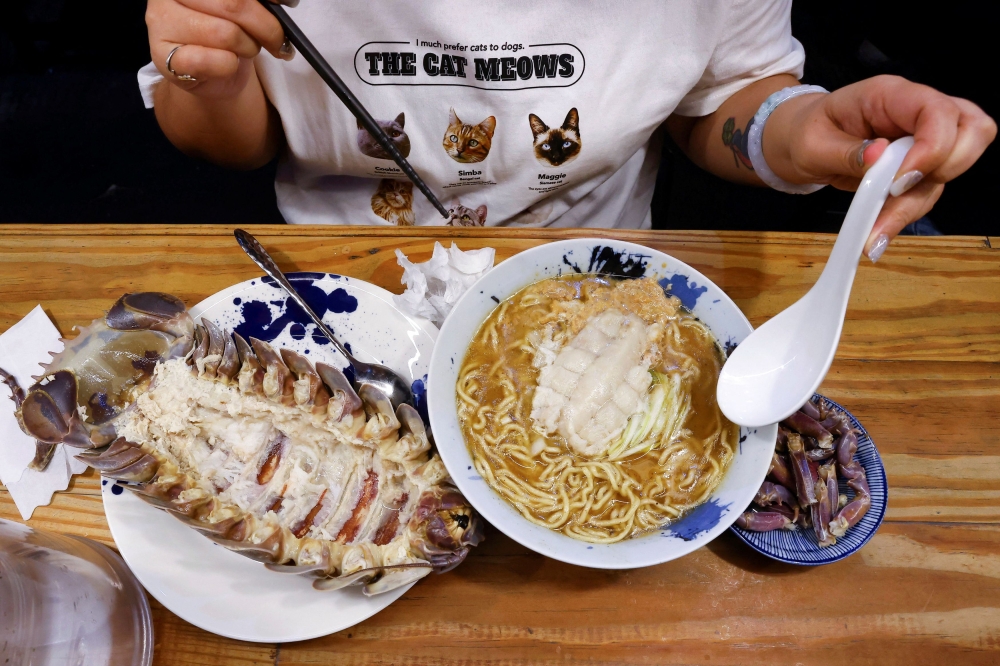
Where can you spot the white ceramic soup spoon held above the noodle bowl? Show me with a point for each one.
(781, 364)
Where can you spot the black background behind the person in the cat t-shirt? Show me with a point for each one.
(76, 144)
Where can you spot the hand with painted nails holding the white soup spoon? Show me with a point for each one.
(835, 138)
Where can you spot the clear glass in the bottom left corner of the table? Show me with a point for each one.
(69, 601)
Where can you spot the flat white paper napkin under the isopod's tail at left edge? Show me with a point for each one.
(23, 347)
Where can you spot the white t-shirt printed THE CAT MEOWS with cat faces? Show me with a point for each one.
(523, 113)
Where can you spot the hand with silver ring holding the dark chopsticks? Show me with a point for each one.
(218, 39)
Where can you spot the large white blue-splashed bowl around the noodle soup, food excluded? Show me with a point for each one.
(698, 294)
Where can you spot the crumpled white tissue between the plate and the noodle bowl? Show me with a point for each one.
(433, 287)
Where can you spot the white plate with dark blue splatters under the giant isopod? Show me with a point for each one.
(214, 588)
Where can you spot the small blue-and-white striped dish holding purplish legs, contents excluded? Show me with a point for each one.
(801, 546)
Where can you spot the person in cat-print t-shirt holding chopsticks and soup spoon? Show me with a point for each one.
(538, 114)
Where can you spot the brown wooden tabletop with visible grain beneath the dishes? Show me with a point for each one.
(918, 364)
